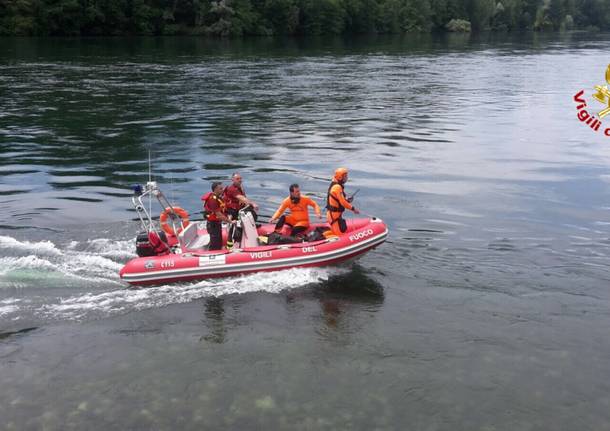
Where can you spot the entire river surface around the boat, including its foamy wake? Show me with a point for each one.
(486, 309)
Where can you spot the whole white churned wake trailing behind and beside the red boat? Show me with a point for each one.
(79, 281)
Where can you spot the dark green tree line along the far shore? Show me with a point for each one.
(226, 18)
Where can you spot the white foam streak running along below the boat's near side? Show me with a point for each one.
(120, 301)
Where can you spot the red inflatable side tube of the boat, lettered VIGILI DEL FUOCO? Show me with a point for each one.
(362, 236)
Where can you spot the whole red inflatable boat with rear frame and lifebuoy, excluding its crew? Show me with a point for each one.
(185, 257)
